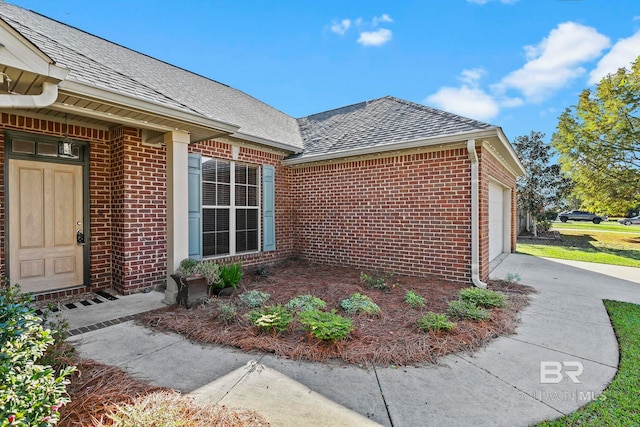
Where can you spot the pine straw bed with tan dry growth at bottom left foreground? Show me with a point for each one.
(98, 391)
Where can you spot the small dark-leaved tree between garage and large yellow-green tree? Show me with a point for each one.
(543, 183)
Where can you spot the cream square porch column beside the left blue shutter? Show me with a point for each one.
(177, 144)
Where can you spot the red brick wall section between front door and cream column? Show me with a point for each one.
(139, 224)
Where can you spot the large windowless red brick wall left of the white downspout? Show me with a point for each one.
(408, 213)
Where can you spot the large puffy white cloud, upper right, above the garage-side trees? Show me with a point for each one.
(555, 61)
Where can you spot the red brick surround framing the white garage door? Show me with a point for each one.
(491, 168)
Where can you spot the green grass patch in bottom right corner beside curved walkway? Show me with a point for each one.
(618, 405)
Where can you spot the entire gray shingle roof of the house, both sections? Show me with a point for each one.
(106, 65)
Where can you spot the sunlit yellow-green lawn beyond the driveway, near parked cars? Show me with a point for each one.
(605, 243)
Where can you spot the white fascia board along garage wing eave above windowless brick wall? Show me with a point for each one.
(403, 145)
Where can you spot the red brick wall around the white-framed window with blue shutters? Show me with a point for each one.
(283, 199)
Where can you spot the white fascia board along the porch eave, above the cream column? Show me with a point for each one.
(146, 106)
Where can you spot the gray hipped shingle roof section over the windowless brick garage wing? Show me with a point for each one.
(378, 122)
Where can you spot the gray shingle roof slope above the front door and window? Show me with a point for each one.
(106, 65)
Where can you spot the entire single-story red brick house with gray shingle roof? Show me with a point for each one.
(117, 166)
